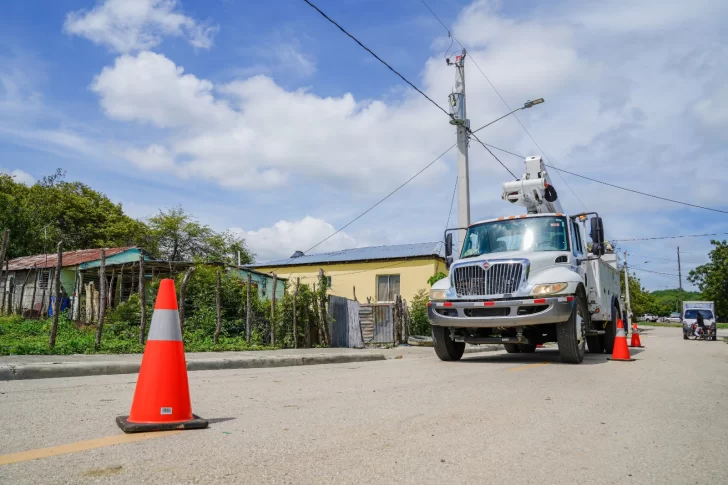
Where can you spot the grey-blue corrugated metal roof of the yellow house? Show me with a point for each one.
(373, 253)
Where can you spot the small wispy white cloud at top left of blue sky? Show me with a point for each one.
(133, 25)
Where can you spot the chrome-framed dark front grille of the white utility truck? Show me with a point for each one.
(498, 279)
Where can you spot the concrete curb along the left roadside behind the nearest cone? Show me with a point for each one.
(81, 369)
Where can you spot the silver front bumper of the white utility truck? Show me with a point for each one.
(500, 313)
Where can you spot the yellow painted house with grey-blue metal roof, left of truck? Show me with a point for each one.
(379, 272)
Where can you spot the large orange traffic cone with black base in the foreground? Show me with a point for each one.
(162, 395)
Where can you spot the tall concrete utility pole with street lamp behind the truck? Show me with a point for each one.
(459, 119)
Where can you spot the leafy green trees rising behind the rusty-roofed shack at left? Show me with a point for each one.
(38, 215)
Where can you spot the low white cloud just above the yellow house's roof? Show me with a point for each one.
(286, 237)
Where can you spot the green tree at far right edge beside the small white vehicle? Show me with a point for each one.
(712, 278)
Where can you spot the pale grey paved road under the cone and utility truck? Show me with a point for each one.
(492, 418)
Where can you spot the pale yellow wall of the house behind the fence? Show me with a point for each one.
(413, 276)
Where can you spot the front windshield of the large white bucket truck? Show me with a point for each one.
(528, 234)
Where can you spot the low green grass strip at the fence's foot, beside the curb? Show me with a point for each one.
(30, 337)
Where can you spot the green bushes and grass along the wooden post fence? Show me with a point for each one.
(121, 327)
